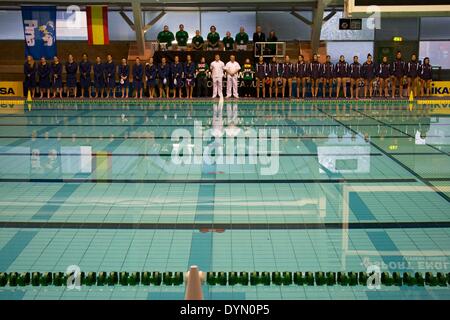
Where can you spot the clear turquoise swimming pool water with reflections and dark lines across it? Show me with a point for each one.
(343, 185)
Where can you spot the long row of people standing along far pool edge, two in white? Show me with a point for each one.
(385, 79)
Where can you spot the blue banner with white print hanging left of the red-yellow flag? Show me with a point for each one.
(39, 25)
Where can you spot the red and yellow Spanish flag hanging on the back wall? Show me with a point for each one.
(97, 21)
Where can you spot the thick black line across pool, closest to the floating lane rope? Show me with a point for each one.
(226, 226)
